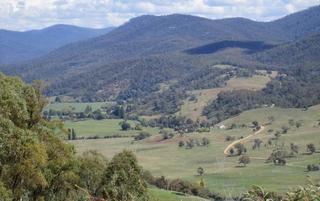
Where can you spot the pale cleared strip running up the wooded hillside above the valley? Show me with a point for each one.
(193, 109)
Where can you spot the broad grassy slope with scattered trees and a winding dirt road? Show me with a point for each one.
(222, 173)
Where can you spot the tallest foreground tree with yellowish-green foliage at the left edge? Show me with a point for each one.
(34, 162)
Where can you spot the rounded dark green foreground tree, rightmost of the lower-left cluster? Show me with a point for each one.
(123, 179)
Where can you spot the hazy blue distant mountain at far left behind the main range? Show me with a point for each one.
(18, 46)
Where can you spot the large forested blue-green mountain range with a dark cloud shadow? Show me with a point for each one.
(156, 49)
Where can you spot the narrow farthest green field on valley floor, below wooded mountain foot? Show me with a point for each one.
(75, 107)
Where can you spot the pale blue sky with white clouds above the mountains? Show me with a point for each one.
(35, 14)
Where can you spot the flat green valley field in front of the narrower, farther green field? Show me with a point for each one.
(106, 127)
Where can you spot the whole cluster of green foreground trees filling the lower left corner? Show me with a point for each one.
(37, 165)
